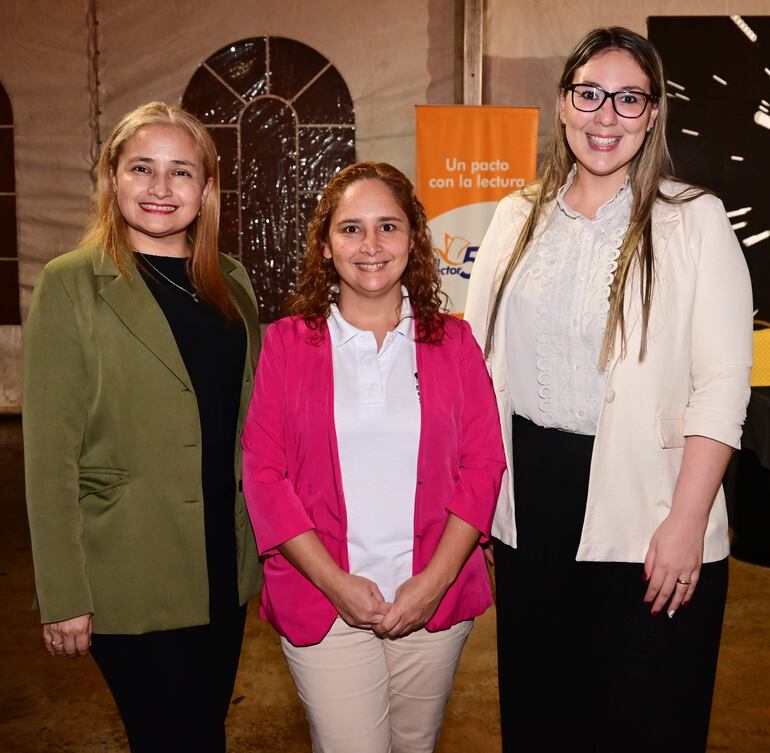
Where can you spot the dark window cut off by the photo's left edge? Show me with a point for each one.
(9, 262)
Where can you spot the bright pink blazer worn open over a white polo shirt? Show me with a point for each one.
(293, 483)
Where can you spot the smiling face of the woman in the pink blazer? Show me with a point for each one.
(369, 241)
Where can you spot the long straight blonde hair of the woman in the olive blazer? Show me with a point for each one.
(108, 230)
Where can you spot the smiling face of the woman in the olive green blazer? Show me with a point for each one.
(160, 185)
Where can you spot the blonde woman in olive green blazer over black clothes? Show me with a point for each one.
(139, 352)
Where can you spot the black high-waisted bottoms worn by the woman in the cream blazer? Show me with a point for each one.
(583, 665)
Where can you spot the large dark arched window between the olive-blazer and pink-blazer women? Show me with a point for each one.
(282, 119)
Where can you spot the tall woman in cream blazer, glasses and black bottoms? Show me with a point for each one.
(614, 307)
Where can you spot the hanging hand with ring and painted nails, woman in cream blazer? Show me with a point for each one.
(673, 562)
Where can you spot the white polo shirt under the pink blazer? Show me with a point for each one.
(377, 419)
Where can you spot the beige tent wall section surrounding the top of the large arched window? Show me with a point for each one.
(380, 50)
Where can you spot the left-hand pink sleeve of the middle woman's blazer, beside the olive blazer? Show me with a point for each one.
(276, 511)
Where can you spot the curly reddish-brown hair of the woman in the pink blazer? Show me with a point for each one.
(317, 288)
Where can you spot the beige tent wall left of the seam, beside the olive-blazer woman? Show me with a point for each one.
(43, 67)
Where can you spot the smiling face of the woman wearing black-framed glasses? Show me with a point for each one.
(604, 143)
